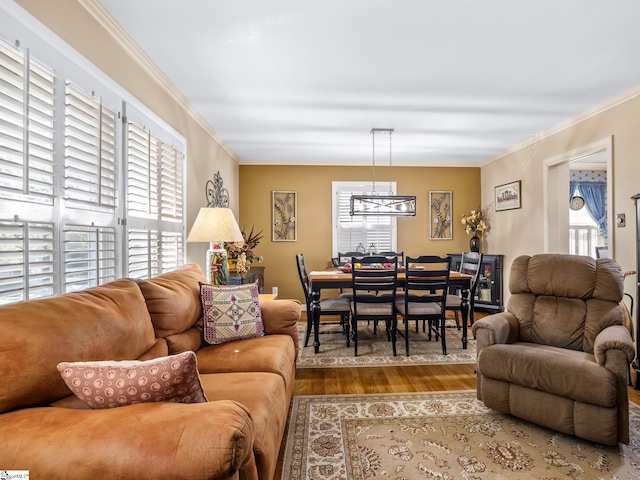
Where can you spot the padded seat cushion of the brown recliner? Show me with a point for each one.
(565, 373)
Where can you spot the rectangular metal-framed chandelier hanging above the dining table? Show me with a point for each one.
(382, 204)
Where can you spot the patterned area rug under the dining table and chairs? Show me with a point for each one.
(375, 350)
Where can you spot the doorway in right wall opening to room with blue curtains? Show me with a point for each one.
(557, 176)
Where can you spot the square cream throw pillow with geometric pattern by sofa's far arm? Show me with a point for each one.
(231, 312)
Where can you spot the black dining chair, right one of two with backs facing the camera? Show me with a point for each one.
(424, 298)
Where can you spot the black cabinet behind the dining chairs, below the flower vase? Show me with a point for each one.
(489, 293)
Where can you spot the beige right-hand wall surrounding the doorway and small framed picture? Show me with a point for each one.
(518, 232)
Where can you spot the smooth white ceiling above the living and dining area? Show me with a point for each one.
(291, 81)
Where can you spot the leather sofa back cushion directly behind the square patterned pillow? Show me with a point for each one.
(173, 299)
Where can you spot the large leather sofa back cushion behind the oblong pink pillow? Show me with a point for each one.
(106, 322)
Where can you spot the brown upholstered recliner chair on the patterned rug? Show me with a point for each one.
(559, 356)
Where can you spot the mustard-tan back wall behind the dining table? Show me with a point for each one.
(313, 185)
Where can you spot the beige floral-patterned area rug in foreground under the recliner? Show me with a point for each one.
(442, 435)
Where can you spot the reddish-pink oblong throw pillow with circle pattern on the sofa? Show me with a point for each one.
(107, 384)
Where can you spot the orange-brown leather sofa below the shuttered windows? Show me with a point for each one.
(51, 433)
